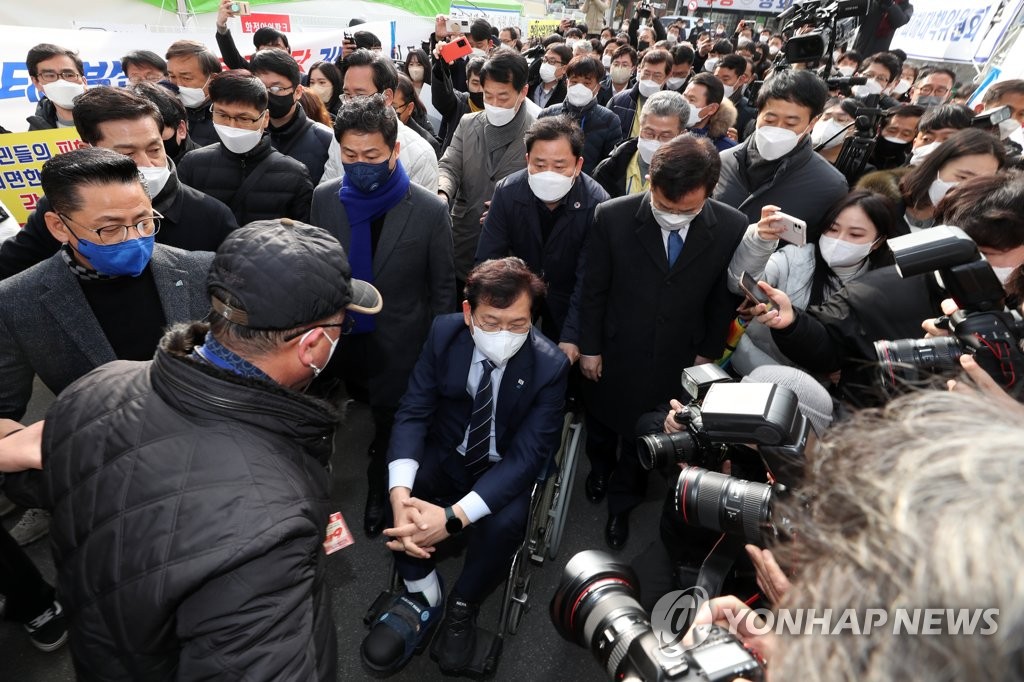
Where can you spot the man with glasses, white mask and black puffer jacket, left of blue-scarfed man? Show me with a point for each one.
(244, 172)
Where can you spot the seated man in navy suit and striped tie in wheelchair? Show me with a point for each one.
(480, 421)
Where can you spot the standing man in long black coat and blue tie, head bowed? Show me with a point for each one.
(655, 303)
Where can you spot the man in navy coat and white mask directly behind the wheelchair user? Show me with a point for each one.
(532, 219)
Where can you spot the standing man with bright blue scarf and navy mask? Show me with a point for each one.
(398, 236)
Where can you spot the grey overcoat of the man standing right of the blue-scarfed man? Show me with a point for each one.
(465, 180)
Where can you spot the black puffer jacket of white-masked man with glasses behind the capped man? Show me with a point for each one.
(283, 190)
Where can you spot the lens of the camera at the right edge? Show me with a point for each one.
(912, 362)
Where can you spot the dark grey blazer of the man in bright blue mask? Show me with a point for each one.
(48, 328)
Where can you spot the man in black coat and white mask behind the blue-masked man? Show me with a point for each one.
(116, 119)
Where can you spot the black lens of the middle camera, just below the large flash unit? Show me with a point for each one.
(716, 502)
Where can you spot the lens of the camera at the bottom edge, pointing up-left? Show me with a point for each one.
(596, 607)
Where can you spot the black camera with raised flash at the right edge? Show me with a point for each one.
(983, 327)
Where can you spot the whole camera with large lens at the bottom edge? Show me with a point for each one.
(596, 607)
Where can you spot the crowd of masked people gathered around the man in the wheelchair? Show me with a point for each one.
(465, 245)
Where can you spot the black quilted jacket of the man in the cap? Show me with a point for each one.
(190, 507)
